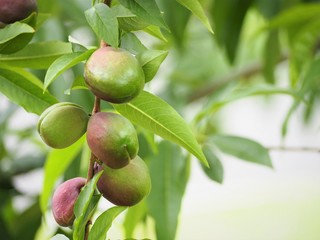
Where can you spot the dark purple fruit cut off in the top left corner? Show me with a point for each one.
(16, 10)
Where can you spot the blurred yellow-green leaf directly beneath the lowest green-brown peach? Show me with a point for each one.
(135, 214)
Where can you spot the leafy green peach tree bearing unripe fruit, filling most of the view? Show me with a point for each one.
(89, 70)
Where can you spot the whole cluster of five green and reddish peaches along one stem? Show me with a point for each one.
(113, 75)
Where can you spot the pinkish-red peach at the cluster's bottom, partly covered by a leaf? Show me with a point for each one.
(64, 199)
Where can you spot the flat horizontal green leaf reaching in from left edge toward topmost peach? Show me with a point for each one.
(38, 55)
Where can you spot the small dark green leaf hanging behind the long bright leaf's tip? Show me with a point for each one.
(215, 169)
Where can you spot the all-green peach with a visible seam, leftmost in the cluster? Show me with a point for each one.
(62, 124)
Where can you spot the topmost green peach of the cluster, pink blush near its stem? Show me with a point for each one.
(114, 75)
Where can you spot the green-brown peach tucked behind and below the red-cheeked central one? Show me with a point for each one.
(126, 186)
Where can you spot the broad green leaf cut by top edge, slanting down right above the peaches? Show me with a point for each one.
(146, 10)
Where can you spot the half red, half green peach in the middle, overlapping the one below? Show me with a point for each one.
(112, 138)
